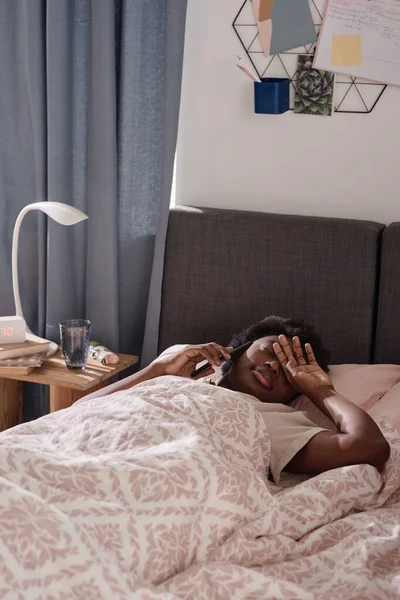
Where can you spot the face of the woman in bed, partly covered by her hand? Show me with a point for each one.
(258, 372)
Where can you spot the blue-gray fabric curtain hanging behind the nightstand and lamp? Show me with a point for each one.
(89, 101)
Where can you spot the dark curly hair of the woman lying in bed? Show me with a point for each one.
(279, 325)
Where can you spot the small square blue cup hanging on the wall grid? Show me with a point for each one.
(271, 96)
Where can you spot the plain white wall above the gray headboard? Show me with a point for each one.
(228, 157)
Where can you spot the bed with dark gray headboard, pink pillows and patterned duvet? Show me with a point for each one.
(126, 497)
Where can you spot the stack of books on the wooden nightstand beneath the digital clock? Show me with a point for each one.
(21, 359)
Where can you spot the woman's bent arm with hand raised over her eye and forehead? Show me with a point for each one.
(359, 439)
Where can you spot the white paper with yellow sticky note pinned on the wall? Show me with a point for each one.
(361, 38)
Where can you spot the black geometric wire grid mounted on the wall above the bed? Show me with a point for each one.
(352, 95)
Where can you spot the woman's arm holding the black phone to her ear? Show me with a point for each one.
(180, 362)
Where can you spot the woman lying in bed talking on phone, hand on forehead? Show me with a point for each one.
(279, 364)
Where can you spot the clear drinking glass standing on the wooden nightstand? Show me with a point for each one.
(75, 342)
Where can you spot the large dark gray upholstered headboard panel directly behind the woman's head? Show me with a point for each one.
(226, 269)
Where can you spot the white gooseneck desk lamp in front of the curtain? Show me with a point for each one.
(61, 213)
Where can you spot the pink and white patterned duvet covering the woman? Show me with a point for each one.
(160, 492)
